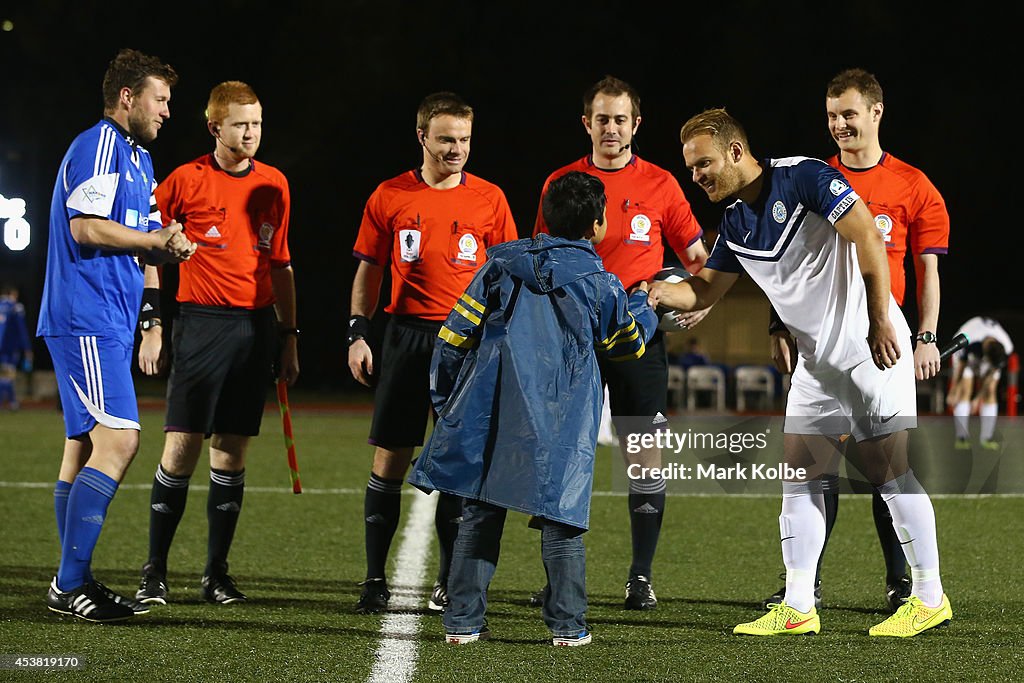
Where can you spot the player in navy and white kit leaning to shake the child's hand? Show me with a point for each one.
(805, 237)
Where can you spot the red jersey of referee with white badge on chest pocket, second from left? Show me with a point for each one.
(435, 239)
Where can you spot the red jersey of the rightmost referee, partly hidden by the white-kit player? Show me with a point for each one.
(905, 204)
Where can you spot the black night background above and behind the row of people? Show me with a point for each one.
(340, 84)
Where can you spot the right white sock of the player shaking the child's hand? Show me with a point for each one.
(914, 520)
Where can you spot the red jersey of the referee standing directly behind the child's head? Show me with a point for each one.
(646, 203)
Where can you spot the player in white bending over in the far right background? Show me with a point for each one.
(977, 370)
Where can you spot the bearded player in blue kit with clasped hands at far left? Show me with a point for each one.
(102, 218)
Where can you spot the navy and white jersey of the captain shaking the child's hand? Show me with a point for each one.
(787, 242)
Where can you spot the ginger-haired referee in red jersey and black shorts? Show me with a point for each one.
(237, 311)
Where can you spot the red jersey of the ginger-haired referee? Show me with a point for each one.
(240, 224)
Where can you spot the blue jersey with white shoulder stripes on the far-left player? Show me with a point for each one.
(91, 291)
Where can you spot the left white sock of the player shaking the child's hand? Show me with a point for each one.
(802, 528)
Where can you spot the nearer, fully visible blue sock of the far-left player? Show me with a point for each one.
(88, 502)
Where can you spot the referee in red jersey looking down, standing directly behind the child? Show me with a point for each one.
(647, 206)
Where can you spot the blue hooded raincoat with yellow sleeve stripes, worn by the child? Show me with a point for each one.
(516, 382)
